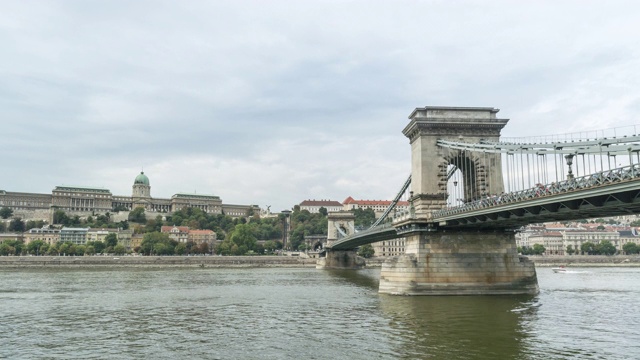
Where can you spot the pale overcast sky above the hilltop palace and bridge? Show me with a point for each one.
(275, 102)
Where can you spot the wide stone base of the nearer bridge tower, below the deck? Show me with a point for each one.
(459, 263)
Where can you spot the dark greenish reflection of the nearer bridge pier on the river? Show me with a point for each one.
(460, 327)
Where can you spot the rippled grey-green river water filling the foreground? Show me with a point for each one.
(590, 313)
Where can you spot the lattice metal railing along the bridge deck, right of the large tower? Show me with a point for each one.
(595, 180)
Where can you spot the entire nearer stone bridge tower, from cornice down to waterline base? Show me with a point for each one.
(454, 262)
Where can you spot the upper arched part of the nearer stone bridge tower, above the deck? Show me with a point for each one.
(481, 174)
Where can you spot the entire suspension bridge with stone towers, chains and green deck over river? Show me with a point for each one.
(470, 190)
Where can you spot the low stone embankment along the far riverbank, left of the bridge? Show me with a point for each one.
(155, 261)
